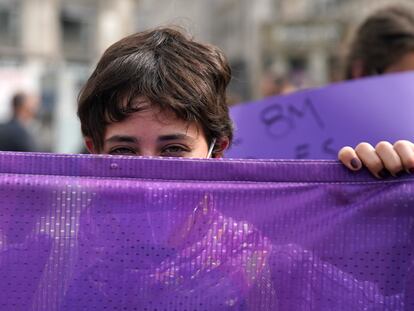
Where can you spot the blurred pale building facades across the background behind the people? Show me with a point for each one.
(51, 46)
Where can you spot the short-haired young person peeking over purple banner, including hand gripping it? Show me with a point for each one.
(160, 93)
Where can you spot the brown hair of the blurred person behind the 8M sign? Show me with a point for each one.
(382, 39)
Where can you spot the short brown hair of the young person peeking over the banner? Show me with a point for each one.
(168, 68)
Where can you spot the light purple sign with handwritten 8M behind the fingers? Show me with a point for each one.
(316, 123)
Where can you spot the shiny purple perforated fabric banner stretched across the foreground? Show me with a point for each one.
(123, 233)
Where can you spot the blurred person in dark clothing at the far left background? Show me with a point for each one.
(15, 135)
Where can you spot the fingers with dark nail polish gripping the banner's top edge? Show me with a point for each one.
(383, 160)
